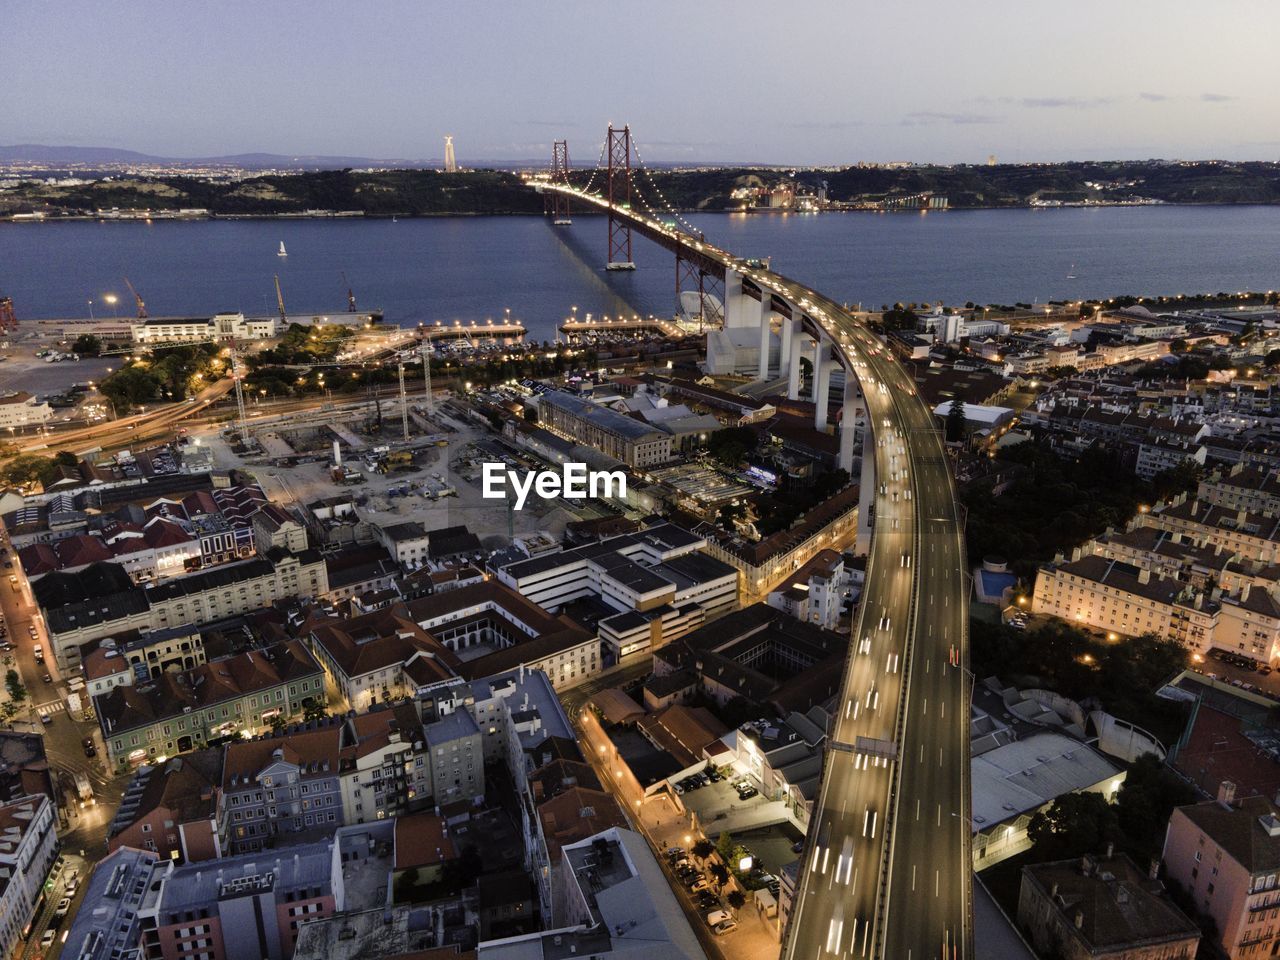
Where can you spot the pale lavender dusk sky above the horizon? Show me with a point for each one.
(803, 83)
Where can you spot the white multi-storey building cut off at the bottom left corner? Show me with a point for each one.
(29, 844)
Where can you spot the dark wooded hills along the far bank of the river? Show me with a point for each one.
(426, 193)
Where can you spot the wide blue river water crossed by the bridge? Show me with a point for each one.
(476, 268)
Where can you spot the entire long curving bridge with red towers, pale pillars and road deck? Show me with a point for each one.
(888, 867)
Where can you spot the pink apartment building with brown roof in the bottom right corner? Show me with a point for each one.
(1226, 854)
